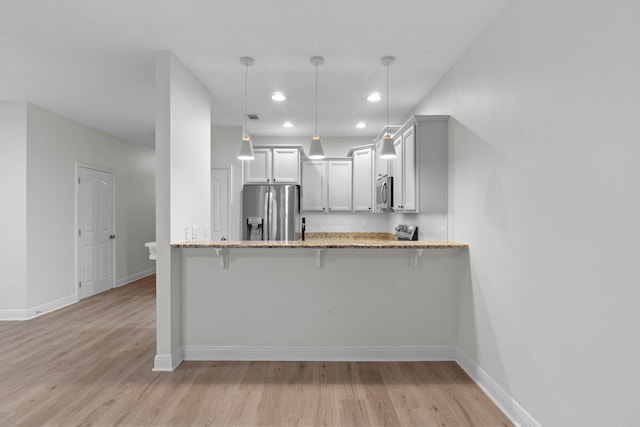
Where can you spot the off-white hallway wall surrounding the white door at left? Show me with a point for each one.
(54, 145)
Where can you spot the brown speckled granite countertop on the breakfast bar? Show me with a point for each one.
(321, 240)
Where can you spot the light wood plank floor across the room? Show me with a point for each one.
(90, 364)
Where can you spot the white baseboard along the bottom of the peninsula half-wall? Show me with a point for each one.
(321, 353)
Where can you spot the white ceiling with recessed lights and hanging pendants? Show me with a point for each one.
(93, 61)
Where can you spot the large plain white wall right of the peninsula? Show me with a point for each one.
(544, 185)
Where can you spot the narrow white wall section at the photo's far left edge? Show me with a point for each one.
(13, 215)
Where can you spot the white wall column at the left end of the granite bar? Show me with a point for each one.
(183, 194)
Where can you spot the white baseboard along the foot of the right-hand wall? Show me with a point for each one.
(500, 397)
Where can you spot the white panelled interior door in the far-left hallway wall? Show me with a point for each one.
(95, 231)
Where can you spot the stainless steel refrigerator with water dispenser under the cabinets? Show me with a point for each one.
(271, 212)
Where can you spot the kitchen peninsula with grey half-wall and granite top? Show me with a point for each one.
(334, 296)
